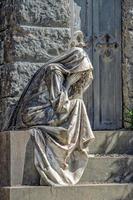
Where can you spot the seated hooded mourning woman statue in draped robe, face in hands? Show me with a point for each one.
(51, 106)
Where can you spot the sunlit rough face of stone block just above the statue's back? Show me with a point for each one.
(39, 44)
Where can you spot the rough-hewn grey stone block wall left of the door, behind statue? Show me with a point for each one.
(31, 33)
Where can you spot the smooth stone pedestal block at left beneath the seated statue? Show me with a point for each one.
(17, 159)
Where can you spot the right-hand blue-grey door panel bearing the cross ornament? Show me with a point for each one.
(107, 63)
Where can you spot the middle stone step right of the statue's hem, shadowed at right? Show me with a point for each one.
(109, 169)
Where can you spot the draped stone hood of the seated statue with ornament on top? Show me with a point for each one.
(75, 59)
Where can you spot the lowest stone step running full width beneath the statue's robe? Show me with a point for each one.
(78, 192)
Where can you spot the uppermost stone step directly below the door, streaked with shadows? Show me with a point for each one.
(112, 142)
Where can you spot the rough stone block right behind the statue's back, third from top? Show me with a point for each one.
(14, 77)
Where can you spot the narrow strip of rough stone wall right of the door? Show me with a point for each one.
(127, 30)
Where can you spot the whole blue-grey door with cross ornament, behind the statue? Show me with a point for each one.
(100, 20)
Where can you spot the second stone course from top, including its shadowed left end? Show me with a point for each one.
(33, 44)
